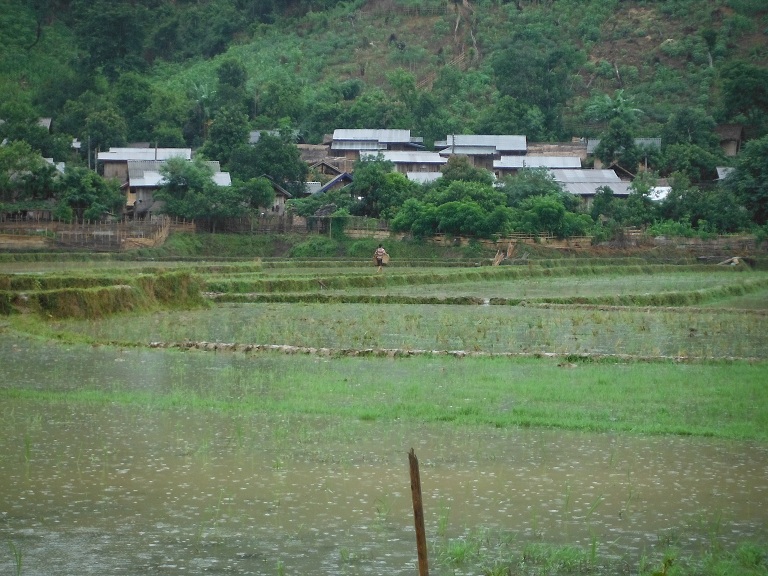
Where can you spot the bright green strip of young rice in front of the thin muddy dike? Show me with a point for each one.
(636, 397)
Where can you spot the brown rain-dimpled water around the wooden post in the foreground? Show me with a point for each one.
(95, 489)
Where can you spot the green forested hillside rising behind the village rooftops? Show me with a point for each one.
(204, 73)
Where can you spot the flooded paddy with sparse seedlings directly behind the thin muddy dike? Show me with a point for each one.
(501, 329)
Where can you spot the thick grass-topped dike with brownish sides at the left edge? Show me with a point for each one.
(96, 297)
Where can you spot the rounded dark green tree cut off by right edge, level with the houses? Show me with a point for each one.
(749, 180)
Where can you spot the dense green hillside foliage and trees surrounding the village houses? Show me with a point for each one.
(207, 74)
